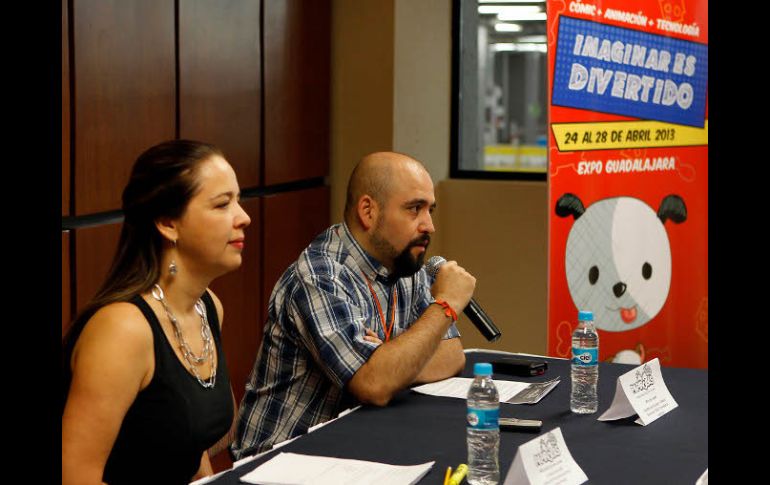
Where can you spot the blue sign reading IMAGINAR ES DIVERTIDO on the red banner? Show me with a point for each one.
(630, 73)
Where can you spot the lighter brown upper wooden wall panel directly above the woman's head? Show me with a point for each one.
(124, 92)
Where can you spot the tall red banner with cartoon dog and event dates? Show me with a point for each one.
(628, 177)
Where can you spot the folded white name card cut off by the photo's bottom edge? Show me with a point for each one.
(545, 460)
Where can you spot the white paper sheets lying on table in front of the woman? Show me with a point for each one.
(295, 469)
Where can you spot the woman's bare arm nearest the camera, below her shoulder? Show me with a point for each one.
(112, 361)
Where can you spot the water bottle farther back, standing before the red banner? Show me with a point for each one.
(585, 365)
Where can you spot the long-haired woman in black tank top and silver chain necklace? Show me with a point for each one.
(145, 383)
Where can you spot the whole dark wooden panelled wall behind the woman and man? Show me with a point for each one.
(119, 97)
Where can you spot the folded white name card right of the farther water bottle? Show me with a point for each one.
(641, 391)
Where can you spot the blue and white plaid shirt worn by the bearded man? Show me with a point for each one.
(314, 338)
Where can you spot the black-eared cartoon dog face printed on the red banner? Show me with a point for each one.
(618, 259)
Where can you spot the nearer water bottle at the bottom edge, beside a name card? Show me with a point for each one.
(483, 428)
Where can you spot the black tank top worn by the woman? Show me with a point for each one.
(174, 419)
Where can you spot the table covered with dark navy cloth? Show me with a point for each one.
(416, 428)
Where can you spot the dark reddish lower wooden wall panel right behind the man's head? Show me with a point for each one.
(292, 220)
